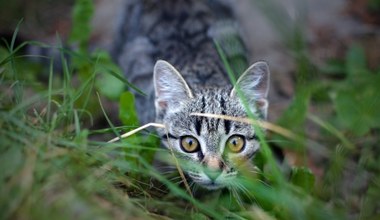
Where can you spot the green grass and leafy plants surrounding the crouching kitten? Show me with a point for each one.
(55, 165)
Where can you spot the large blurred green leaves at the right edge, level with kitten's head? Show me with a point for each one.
(357, 96)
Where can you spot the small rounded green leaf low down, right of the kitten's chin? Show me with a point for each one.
(303, 177)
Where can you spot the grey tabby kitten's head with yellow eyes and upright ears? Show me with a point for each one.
(212, 148)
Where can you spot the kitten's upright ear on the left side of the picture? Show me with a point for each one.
(170, 87)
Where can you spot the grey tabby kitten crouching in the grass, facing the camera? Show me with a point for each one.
(174, 39)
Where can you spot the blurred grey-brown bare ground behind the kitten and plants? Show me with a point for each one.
(328, 29)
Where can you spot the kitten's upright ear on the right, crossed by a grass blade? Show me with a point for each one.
(254, 85)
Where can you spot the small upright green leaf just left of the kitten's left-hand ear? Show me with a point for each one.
(127, 112)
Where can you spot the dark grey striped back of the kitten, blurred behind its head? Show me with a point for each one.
(178, 31)
